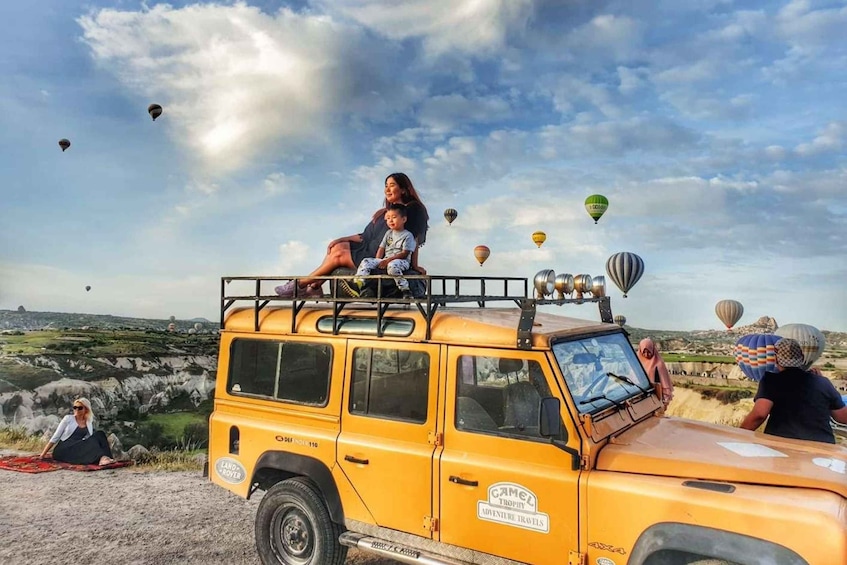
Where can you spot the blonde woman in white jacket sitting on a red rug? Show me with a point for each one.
(76, 441)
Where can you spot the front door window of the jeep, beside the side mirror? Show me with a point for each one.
(499, 396)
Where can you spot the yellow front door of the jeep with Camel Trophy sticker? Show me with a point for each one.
(504, 489)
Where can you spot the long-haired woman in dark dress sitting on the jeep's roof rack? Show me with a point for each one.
(349, 251)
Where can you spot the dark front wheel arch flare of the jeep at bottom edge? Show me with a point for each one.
(709, 542)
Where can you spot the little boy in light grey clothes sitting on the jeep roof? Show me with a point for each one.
(393, 254)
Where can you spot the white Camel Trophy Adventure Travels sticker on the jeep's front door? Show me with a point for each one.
(513, 505)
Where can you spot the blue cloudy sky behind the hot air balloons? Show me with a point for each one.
(716, 129)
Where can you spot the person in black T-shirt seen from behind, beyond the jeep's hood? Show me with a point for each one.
(796, 403)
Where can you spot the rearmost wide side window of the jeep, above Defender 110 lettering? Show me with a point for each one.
(286, 371)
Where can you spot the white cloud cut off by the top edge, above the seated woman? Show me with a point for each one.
(445, 26)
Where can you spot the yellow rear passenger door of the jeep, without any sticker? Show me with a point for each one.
(387, 423)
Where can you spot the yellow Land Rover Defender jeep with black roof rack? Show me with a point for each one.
(470, 427)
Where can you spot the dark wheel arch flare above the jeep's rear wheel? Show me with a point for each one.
(292, 464)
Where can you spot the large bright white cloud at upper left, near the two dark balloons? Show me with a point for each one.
(234, 81)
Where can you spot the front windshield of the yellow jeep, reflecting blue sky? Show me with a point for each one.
(601, 371)
